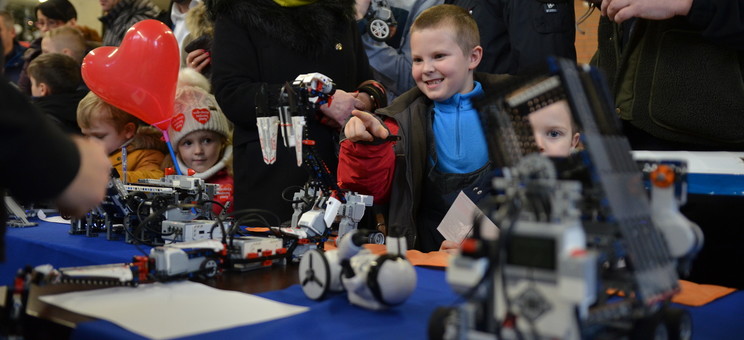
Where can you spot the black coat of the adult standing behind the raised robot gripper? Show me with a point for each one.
(259, 42)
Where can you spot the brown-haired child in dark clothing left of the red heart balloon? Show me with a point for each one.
(55, 79)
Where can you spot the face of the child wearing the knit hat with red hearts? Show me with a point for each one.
(200, 150)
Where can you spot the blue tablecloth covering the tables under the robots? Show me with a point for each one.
(333, 318)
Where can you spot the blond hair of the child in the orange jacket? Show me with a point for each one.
(92, 107)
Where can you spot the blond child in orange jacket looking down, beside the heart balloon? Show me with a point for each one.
(118, 129)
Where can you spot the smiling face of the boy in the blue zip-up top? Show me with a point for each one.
(440, 68)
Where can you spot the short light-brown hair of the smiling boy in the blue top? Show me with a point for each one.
(464, 26)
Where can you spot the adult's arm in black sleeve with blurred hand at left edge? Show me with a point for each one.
(41, 162)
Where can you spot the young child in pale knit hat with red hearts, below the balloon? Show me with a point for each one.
(201, 135)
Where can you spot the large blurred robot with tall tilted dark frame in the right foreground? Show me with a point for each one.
(582, 253)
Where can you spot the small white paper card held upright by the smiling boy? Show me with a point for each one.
(457, 224)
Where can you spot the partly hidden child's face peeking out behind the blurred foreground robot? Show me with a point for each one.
(552, 128)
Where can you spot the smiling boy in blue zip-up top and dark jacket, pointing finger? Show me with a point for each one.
(443, 149)
